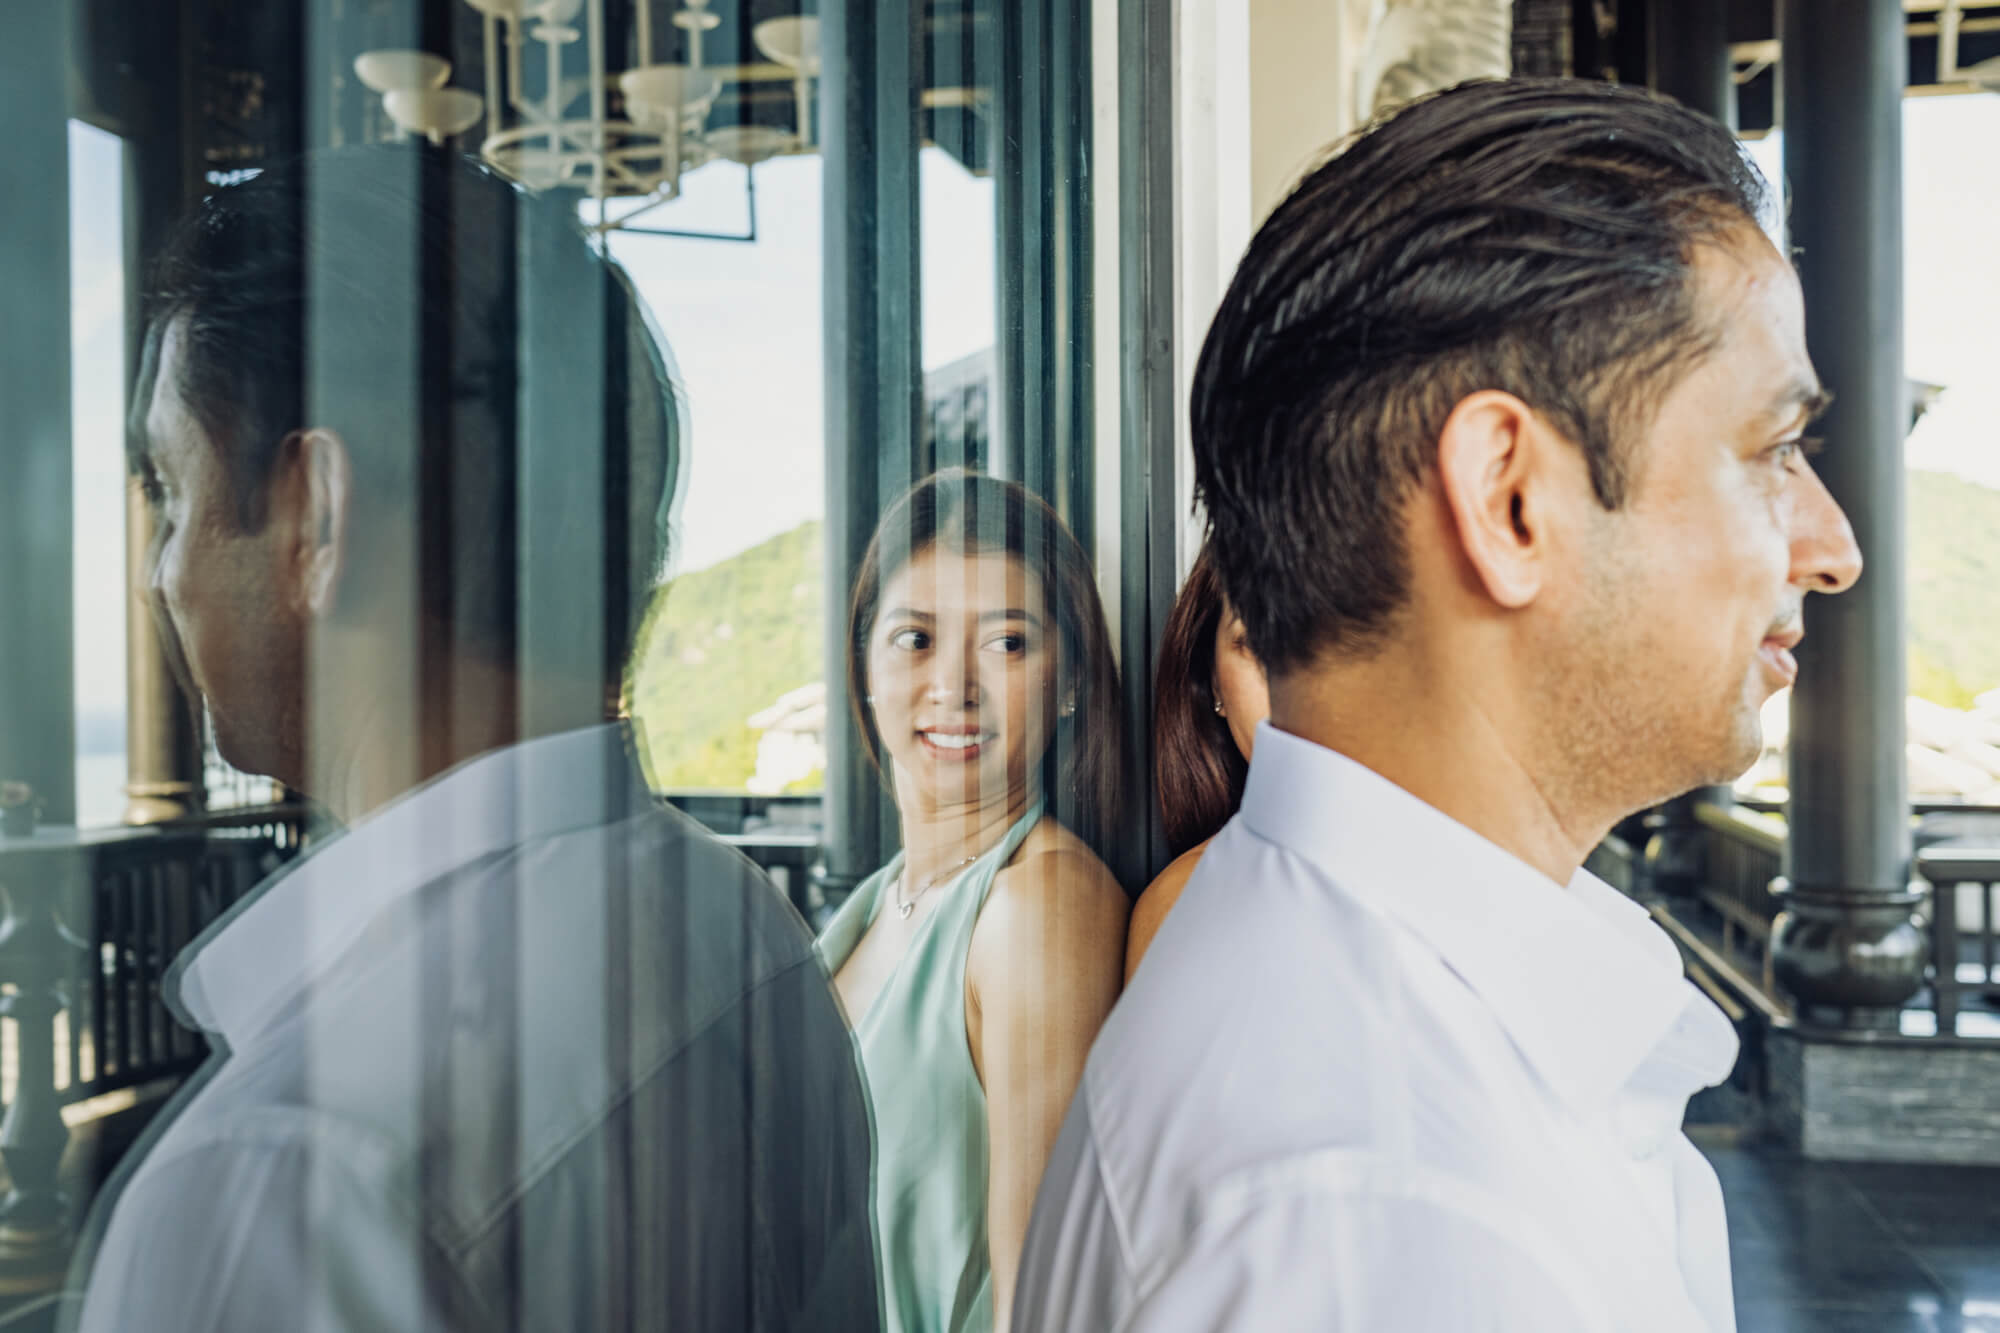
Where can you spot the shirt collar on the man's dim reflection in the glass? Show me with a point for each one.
(305, 918)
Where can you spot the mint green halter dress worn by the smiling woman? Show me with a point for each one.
(927, 1102)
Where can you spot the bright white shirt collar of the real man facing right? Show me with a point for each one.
(1581, 980)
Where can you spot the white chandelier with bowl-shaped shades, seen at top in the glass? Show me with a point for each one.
(567, 137)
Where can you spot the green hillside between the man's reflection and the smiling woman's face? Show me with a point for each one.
(719, 645)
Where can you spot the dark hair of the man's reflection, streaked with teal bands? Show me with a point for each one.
(471, 347)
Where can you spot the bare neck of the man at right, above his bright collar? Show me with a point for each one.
(1447, 748)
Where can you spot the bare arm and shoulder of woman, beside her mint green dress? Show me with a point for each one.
(1043, 974)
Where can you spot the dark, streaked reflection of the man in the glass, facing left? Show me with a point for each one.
(519, 1048)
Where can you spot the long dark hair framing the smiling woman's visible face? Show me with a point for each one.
(973, 513)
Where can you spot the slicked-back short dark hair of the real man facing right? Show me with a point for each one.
(1533, 237)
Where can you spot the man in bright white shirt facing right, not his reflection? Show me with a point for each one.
(1499, 437)
